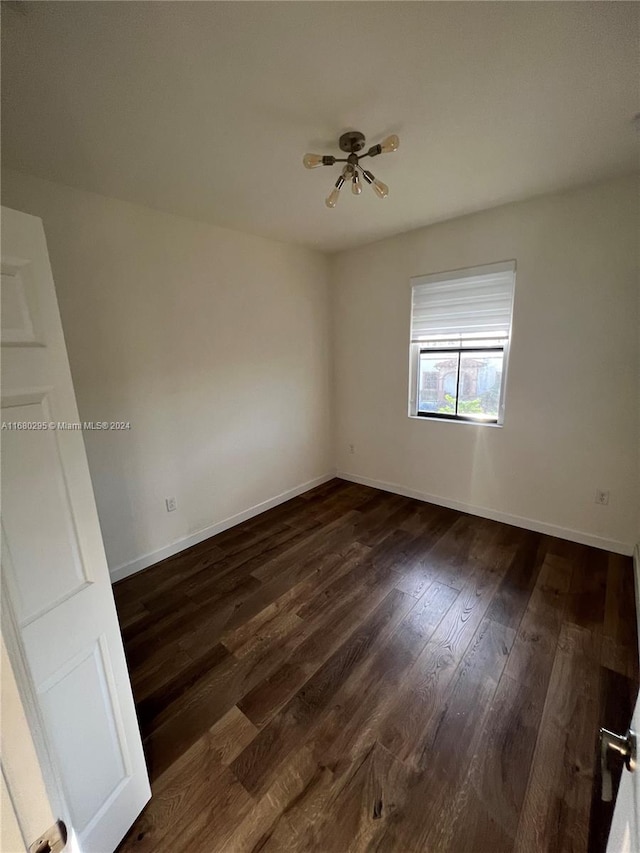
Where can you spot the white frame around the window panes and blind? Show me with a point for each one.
(417, 347)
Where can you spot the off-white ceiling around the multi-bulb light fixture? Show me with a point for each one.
(205, 109)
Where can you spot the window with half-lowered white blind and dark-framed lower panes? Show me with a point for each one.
(460, 330)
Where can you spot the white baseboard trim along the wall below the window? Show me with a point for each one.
(495, 515)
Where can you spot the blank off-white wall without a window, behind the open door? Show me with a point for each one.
(213, 344)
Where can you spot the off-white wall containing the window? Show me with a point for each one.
(571, 420)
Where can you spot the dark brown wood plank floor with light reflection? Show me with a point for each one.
(358, 671)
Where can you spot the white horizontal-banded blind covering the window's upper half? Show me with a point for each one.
(475, 302)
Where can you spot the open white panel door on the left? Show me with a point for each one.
(54, 568)
